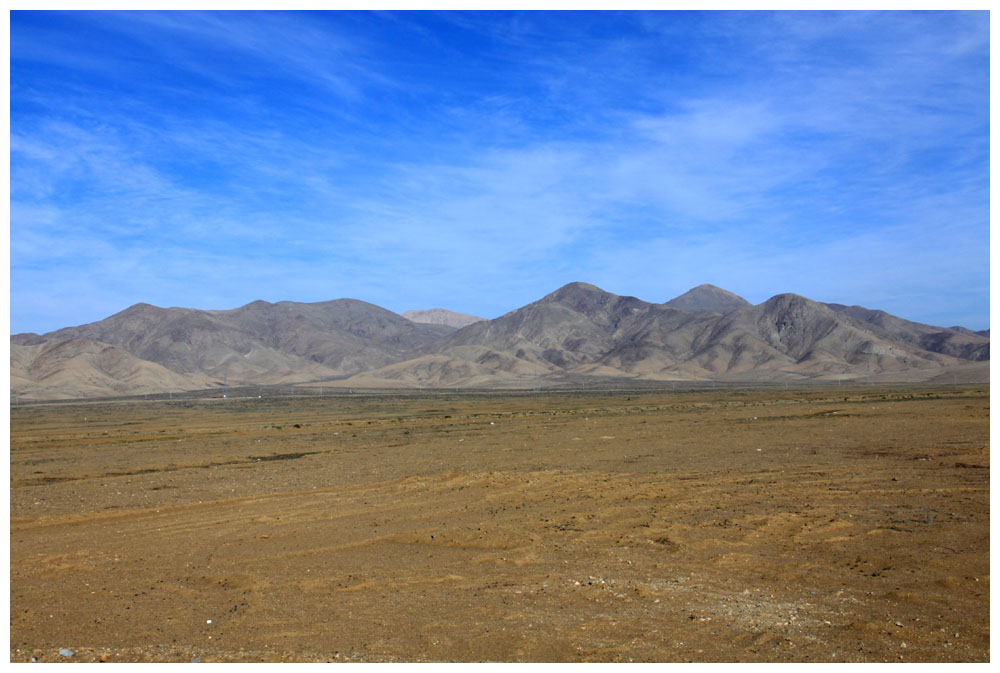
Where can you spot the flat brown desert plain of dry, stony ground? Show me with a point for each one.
(836, 524)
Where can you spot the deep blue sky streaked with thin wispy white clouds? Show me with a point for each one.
(478, 161)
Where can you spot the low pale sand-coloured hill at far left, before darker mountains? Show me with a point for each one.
(77, 368)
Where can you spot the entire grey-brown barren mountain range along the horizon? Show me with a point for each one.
(577, 335)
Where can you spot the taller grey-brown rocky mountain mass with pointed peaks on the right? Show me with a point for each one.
(582, 331)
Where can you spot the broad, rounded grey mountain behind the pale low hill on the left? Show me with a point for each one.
(262, 343)
